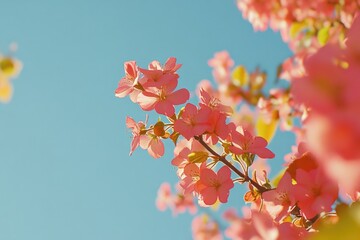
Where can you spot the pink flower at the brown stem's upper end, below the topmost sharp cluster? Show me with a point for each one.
(193, 122)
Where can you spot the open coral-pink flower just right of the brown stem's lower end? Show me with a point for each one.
(314, 192)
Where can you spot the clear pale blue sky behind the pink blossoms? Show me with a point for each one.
(65, 172)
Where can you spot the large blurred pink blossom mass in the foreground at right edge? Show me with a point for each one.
(329, 91)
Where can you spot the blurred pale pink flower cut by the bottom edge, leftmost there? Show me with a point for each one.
(203, 228)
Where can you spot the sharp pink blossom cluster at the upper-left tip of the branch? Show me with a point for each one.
(153, 88)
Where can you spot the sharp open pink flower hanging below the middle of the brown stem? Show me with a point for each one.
(216, 186)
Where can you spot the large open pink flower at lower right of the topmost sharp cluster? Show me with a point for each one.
(163, 98)
